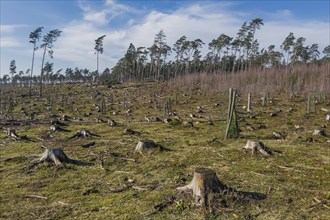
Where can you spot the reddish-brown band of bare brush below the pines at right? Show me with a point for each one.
(299, 79)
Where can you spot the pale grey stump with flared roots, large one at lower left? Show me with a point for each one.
(55, 155)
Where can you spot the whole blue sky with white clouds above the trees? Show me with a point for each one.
(138, 21)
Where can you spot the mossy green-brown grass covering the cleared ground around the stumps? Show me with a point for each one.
(130, 185)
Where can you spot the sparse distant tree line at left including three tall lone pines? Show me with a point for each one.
(47, 74)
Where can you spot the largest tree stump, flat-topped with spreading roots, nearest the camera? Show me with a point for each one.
(205, 181)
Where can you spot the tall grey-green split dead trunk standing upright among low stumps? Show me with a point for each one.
(232, 129)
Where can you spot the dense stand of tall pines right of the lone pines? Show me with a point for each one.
(226, 55)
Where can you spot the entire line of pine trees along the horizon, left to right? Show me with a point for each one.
(226, 55)
